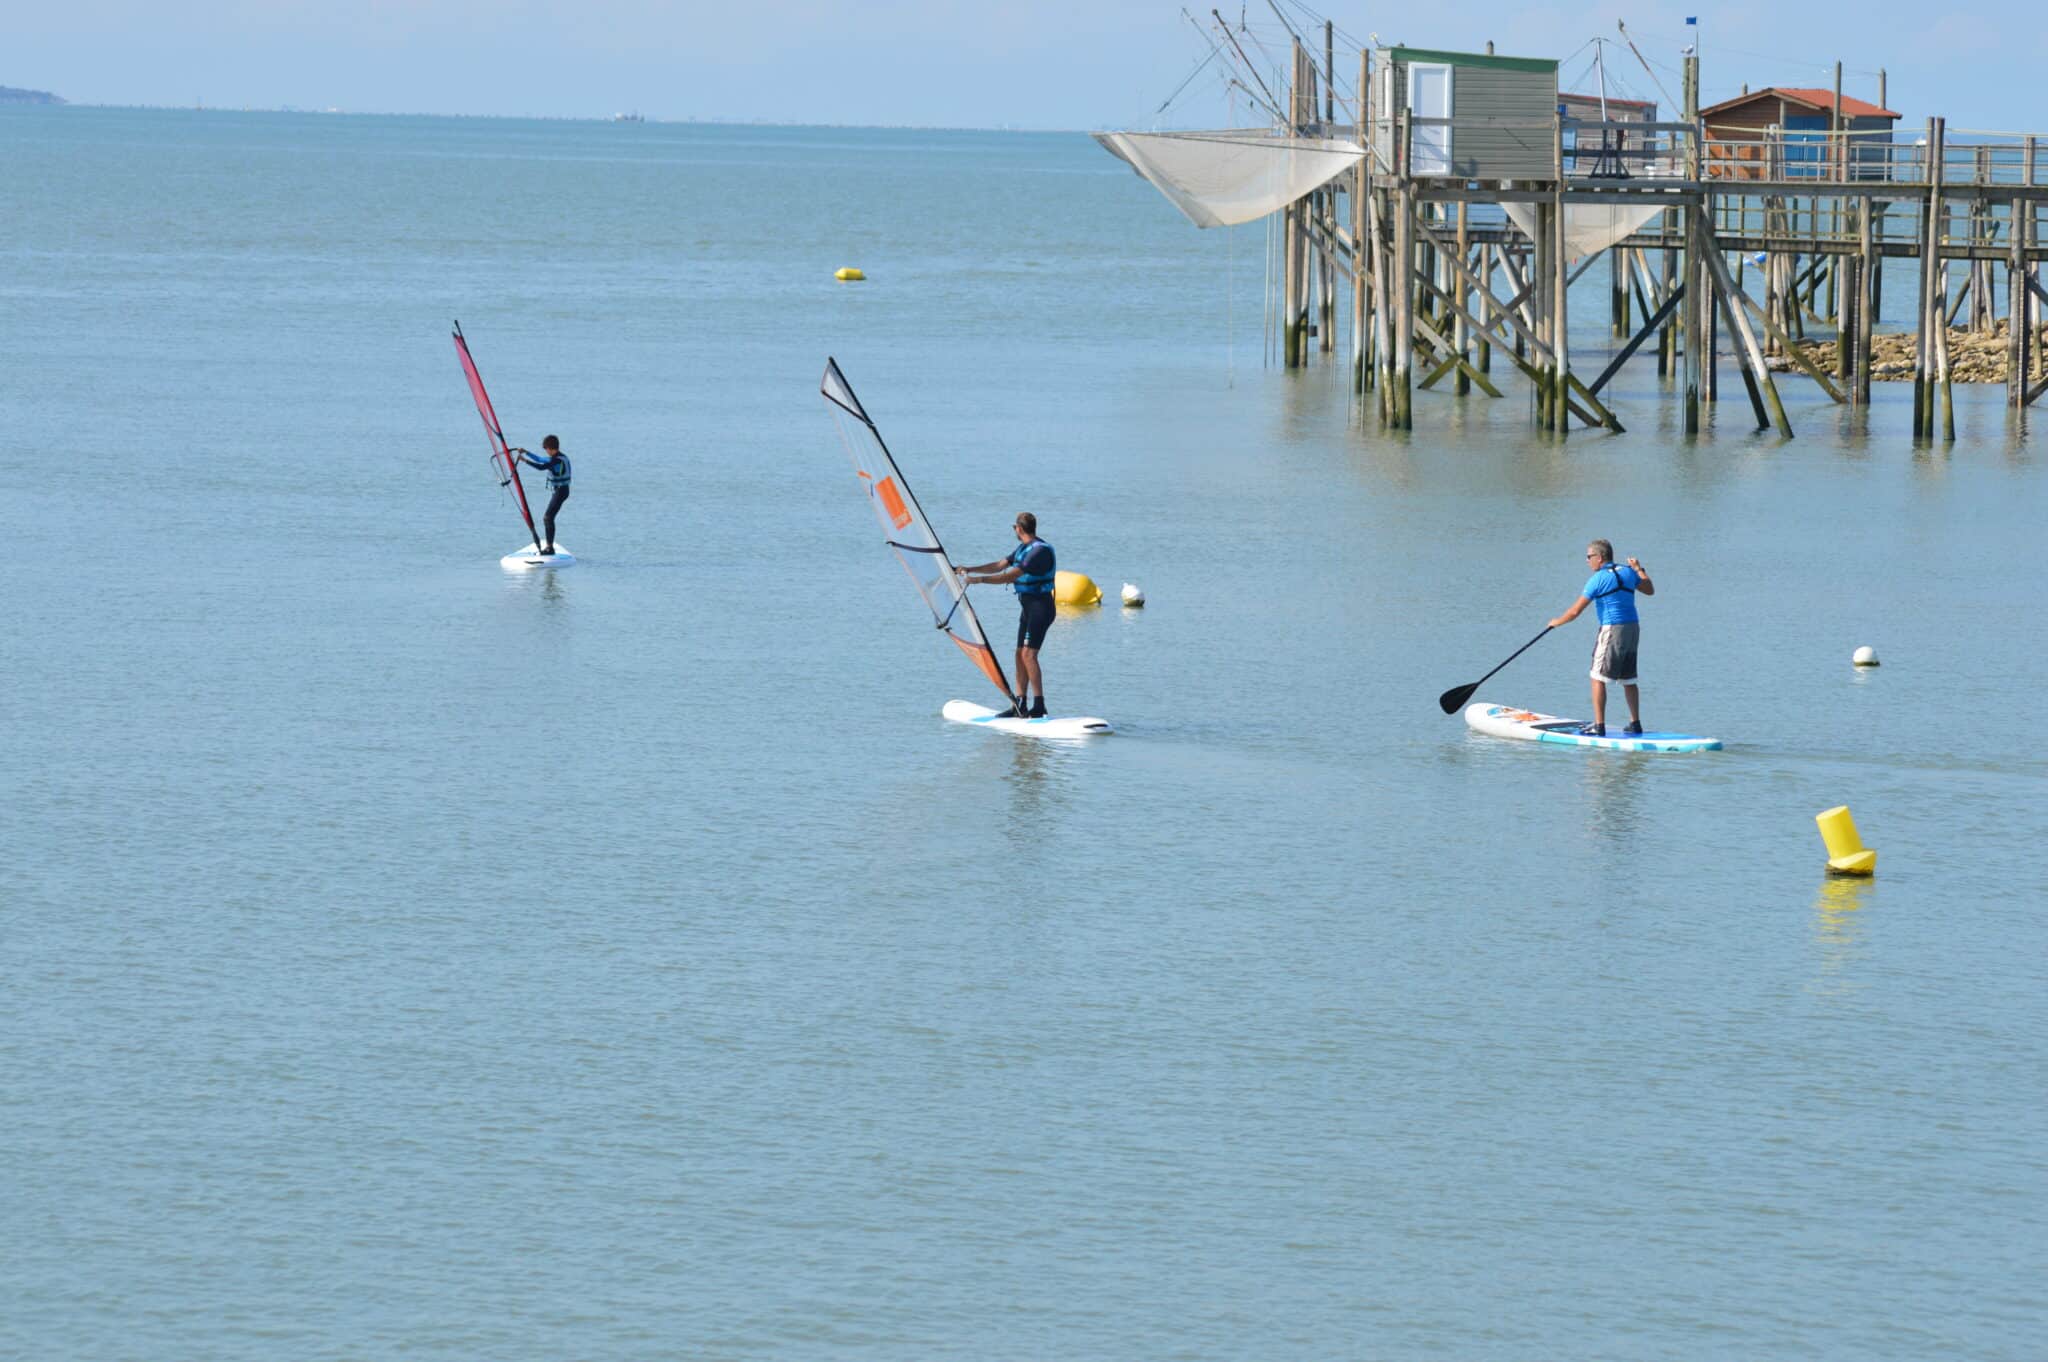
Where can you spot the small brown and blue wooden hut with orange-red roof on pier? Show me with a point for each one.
(1785, 132)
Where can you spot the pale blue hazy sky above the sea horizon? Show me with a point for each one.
(1046, 65)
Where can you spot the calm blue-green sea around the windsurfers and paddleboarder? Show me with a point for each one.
(400, 957)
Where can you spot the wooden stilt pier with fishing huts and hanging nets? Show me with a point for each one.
(1461, 198)
